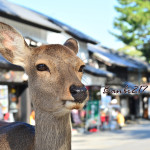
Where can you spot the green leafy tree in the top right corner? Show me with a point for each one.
(133, 22)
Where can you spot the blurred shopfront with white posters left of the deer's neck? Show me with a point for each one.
(13, 92)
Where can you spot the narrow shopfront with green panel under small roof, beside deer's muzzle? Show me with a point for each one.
(94, 79)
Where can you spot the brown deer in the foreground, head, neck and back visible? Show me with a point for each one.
(55, 72)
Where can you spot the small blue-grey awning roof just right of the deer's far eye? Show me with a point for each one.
(98, 72)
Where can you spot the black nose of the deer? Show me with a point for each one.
(78, 93)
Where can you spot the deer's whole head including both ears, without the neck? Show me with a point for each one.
(54, 71)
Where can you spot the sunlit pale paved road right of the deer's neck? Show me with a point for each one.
(132, 137)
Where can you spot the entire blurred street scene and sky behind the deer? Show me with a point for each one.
(114, 39)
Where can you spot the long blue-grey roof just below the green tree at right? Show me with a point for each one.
(111, 57)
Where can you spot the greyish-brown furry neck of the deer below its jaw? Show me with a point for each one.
(52, 133)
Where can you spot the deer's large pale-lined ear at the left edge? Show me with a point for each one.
(12, 45)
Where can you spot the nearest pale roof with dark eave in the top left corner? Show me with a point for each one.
(27, 16)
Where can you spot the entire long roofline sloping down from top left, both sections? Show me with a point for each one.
(38, 19)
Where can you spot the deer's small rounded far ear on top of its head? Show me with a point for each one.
(72, 44)
